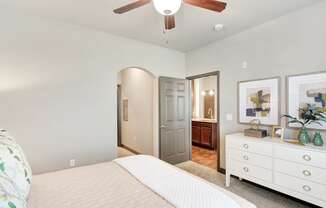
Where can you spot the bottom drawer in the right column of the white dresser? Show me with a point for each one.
(302, 186)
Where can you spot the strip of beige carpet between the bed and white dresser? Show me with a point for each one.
(262, 198)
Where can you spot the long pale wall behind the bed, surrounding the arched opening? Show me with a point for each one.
(58, 87)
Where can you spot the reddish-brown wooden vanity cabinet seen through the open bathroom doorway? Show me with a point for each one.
(204, 134)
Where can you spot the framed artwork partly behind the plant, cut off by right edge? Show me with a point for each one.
(304, 89)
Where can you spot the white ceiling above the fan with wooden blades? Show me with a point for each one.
(194, 25)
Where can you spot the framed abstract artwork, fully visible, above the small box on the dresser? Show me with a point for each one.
(259, 99)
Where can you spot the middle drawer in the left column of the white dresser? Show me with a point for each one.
(251, 158)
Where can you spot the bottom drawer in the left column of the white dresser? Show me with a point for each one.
(245, 169)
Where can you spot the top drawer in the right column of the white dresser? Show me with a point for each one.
(301, 156)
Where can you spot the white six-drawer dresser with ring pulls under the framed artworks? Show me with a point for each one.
(299, 171)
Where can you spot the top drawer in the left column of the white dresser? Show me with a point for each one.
(253, 147)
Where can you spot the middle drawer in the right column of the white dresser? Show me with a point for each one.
(301, 171)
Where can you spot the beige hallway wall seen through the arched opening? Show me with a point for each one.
(137, 86)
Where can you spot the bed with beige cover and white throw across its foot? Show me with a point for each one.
(131, 182)
